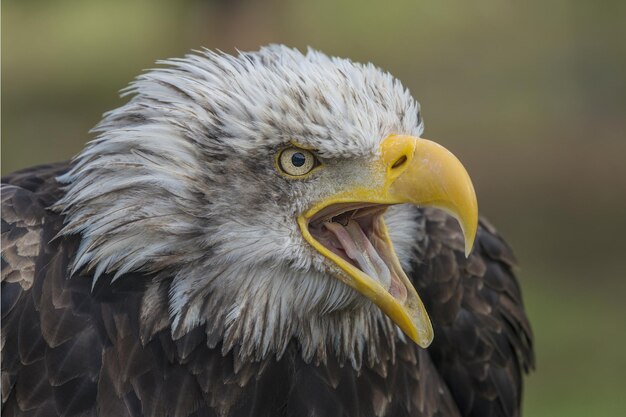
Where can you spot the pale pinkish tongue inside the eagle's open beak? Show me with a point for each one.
(359, 248)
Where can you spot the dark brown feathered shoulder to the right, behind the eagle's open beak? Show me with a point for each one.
(483, 341)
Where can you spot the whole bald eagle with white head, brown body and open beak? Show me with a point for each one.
(264, 234)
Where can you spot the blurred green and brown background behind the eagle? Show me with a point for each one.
(530, 95)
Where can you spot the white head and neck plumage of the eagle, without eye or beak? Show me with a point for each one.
(181, 183)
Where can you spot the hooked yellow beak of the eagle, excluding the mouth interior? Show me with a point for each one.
(409, 170)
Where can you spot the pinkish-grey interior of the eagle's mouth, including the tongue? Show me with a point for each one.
(357, 234)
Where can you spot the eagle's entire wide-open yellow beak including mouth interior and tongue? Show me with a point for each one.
(348, 229)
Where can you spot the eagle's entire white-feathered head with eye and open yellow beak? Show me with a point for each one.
(269, 197)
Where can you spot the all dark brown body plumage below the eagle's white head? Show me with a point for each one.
(70, 350)
